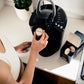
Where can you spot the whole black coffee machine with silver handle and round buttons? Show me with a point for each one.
(53, 20)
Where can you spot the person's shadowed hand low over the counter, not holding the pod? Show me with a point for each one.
(22, 48)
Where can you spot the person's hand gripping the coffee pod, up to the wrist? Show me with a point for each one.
(38, 45)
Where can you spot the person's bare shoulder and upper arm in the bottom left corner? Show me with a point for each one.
(5, 74)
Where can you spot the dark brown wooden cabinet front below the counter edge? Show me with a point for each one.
(54, 79)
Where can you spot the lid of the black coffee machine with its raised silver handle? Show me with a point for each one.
(45, 13)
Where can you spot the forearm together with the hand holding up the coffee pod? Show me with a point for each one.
(36, 47)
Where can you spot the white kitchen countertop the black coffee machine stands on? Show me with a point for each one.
(18, 31)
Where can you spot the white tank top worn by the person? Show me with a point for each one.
(10, 57)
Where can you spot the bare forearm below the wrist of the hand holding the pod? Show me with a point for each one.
(29, 71)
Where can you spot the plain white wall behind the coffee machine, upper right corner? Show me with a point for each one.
(73, 8)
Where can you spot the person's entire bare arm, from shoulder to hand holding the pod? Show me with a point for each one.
(27, 77)
